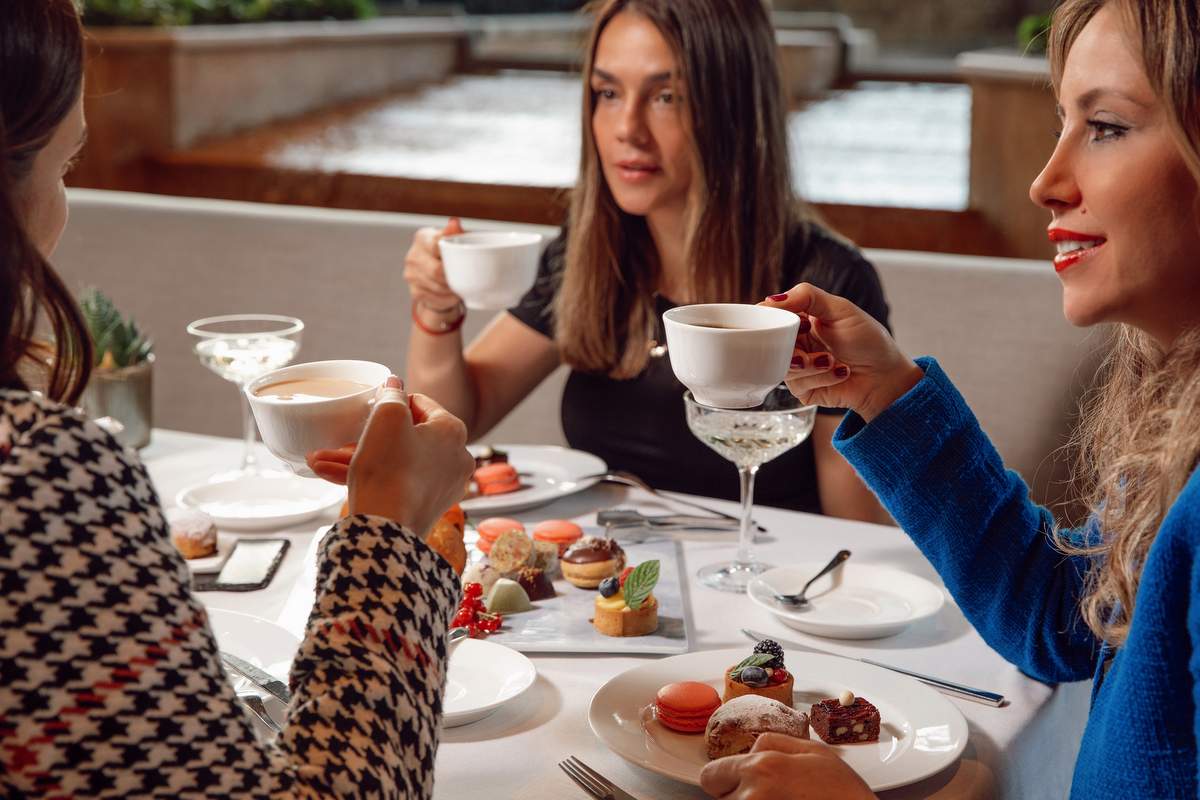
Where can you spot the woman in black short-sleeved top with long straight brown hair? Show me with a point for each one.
(685, 196)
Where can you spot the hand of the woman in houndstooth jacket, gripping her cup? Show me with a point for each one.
(410, 466)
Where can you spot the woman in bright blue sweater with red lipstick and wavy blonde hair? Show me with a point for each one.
(1119, 600)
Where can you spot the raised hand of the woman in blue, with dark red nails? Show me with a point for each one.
(844, 358)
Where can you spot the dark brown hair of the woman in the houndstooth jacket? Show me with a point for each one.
(41, 77)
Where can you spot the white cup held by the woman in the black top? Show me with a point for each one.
(491, 269)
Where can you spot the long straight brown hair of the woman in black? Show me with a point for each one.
(741, 206)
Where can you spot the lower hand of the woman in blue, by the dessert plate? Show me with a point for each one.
(784, 768)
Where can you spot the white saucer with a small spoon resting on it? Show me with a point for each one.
(859, 601)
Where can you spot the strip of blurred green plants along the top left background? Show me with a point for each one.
(206, 13)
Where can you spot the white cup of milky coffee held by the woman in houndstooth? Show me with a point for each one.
(296, 425)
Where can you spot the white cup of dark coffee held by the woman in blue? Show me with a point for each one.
(730, 356)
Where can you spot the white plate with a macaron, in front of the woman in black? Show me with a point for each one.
(548, 474)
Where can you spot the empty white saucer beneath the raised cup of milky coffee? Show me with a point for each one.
(262, 502)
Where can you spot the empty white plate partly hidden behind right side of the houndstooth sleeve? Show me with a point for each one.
(483, 677)
